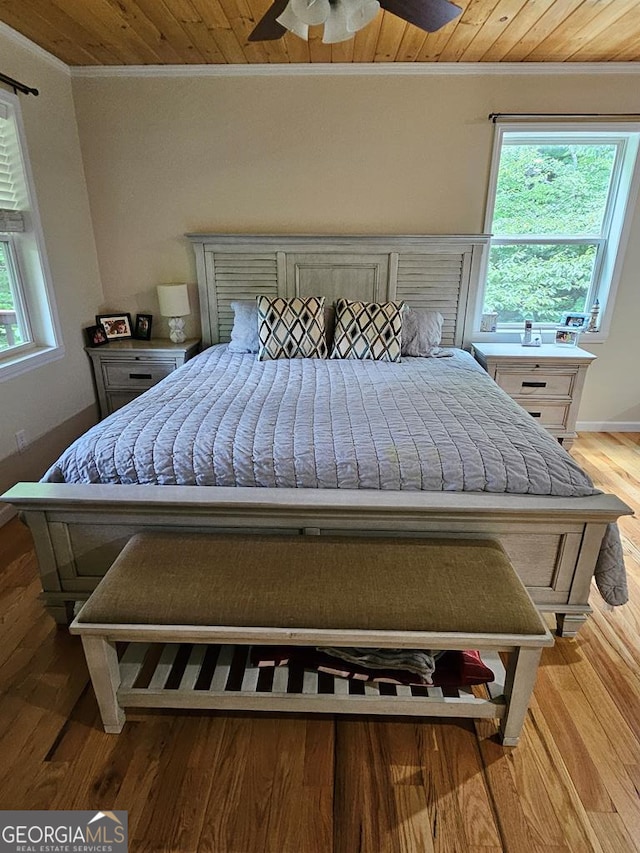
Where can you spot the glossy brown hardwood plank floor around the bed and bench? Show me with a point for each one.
(234, 783)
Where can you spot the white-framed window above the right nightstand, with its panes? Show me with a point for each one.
(559, 200)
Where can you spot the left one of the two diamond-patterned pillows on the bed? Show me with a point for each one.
(291, 328)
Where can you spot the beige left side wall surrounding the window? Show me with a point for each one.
(44, 398)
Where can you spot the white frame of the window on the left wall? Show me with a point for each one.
(30, 271)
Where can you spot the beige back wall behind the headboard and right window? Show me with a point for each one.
(165, 156)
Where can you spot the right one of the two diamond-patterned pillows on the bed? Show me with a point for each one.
(368, 330)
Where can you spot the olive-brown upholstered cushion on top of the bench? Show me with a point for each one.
(439, 585)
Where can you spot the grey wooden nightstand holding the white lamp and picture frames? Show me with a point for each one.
(124, 369)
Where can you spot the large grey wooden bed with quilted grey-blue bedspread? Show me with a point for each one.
(312, 446)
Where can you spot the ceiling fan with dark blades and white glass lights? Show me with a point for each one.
(343, 18)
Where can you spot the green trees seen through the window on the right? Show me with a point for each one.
(550, 220)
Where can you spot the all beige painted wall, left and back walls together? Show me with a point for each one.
(164, 156)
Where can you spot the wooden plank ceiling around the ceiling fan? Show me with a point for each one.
(178, 32)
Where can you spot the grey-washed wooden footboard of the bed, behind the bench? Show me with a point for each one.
(552, 542)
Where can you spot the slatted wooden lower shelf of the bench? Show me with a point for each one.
(182, 675)
